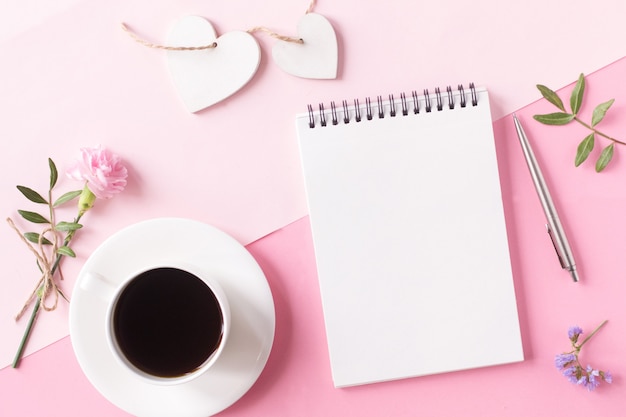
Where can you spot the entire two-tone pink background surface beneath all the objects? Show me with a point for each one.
(72, 78)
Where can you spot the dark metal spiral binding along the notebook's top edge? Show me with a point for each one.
(406, 105)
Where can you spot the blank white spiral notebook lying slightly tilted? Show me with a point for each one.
(409, 235)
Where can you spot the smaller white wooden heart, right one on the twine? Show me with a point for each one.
(317, 57)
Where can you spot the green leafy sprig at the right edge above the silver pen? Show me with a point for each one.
(564, 117)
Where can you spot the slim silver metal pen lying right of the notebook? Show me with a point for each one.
(554, 226)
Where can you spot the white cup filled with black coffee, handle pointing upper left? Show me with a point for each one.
(166, 323)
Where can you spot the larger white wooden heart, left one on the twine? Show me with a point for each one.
(208, 76)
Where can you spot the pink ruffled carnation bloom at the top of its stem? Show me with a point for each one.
(102, 170)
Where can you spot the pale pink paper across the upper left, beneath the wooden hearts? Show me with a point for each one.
(77, 80)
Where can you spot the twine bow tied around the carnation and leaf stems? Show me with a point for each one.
(46, 284)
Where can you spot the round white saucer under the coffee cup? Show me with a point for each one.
(252, 308)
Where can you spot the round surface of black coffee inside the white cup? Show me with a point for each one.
(167, 322)
